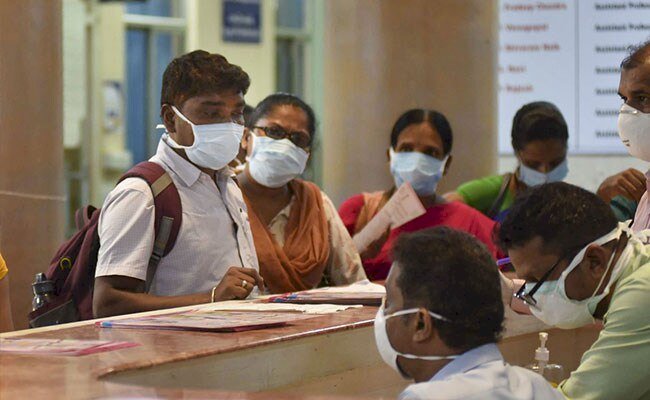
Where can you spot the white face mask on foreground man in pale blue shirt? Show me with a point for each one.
(386, 350)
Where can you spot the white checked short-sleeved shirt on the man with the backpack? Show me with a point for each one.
(214, 235)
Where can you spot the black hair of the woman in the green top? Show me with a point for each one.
(539, 120)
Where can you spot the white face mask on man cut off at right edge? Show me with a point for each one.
(634, 130)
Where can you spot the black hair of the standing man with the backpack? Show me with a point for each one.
(199, 72)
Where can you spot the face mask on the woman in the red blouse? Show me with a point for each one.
(421, 171)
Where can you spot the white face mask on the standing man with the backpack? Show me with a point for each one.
(215, 145)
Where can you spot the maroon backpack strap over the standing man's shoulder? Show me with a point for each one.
(168, 208)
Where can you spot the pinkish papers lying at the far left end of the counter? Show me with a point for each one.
(59, 347)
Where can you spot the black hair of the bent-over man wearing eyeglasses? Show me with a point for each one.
(564, 216)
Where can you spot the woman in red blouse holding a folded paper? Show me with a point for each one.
(420, 154)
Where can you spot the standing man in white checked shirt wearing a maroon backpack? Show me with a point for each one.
(213, 257)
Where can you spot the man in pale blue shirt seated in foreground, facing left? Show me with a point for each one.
(440, 329)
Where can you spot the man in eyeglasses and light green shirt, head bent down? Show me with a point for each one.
(579, 265)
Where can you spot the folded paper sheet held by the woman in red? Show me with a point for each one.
(403, 206)
